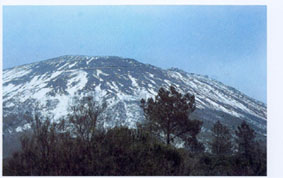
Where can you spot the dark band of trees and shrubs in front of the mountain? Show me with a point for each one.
(80, 146)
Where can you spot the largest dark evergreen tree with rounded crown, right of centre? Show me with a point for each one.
(169, 113)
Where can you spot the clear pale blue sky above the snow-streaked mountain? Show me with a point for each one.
(227, 43)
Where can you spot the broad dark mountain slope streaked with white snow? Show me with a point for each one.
(121, 82)
